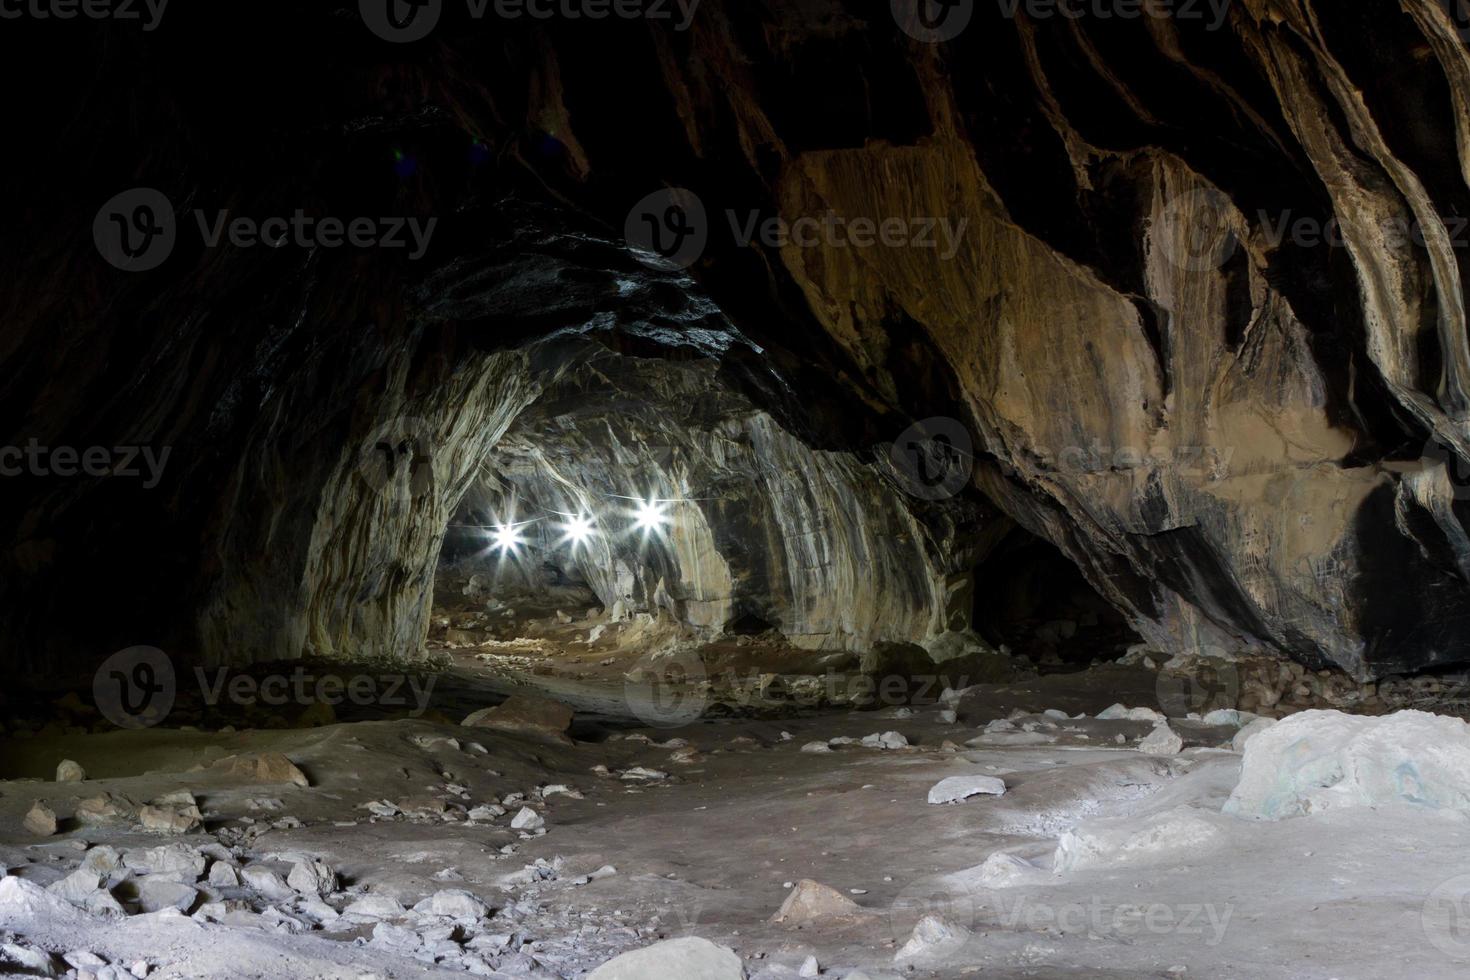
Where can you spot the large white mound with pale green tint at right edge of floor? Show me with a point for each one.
(1327, 760)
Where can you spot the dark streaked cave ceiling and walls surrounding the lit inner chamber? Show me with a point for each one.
(1193, 287)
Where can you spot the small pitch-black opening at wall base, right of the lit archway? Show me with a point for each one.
(1034, 600)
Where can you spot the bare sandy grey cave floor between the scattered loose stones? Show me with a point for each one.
(712, 849)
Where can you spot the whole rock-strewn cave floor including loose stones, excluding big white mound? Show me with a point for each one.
(371, 843)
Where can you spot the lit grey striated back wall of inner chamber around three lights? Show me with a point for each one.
(761, 528)
